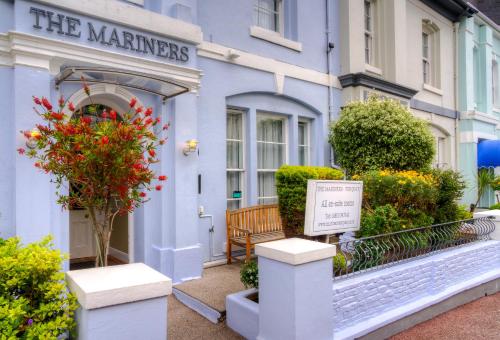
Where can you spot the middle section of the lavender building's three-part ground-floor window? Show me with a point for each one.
(271, 154)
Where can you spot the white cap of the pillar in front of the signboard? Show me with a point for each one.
(295, 251)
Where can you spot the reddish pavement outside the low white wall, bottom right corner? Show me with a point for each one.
(479, 319)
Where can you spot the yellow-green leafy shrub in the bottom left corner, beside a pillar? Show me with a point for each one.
(34, 302)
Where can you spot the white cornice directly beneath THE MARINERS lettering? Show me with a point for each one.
(18, 48)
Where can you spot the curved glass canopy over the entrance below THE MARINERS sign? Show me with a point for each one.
(161, 86)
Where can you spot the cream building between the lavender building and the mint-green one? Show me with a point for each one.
(405, 50)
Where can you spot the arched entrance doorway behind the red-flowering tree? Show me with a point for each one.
(82, 247)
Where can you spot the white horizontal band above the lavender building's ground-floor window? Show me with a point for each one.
(219, 52)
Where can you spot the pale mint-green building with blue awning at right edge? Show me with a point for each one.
(479, 98)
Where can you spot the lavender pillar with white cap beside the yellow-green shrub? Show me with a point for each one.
(121, 302)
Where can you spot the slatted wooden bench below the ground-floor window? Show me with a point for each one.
(248, 226)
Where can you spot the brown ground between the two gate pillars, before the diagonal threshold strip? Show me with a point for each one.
(186, 324)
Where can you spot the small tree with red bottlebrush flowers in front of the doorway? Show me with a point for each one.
(100, 161)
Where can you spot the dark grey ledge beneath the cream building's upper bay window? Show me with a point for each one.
(366, 80)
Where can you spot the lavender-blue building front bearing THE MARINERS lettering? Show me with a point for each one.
(253, 82)
